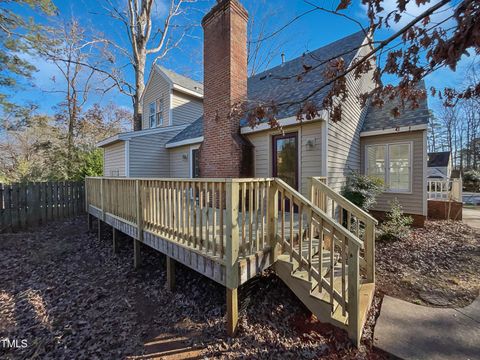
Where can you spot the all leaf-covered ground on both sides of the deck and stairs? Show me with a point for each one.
(70, 297)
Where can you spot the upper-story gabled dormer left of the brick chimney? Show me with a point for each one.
(170, 99)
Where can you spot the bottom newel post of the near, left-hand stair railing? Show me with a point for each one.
(354, 326)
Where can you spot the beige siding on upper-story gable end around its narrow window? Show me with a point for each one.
(158, 87)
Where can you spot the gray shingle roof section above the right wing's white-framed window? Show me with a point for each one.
(382, 118)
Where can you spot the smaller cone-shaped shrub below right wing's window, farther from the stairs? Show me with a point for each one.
(396, 225)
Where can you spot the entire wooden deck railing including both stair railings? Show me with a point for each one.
(227, 219)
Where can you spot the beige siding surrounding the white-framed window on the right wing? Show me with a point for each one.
(412, 202)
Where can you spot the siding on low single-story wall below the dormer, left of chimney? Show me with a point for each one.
(148, 155)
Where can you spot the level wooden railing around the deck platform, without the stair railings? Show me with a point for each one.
(217, 217)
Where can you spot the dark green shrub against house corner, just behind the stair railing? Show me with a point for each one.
(362, 190)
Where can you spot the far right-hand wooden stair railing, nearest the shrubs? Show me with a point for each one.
(353, 218)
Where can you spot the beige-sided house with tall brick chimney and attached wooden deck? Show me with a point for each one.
(200, 185)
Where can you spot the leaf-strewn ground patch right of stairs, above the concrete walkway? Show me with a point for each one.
(438, 265)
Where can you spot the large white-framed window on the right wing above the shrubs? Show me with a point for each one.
(392, 163)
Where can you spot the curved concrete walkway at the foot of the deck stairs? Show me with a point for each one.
(412, 331)
